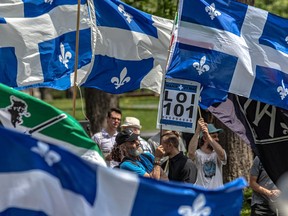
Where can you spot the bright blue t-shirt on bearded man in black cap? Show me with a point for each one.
(145, 164)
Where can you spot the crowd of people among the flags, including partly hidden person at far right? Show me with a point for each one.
(167, 157)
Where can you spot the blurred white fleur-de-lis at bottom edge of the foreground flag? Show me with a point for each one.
(197, 209)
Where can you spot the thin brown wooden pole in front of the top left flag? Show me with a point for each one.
(76, 58)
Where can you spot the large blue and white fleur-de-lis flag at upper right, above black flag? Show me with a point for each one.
(232, 47)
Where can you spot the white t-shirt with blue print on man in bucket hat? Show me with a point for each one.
(209, 169)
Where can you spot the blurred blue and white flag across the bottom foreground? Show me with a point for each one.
(43, 179)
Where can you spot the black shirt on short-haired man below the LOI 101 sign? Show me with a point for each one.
(181, 168)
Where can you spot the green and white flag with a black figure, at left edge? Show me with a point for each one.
(34, 117)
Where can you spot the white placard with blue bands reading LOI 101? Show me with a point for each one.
(178, 105)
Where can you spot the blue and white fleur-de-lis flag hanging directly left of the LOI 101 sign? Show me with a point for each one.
(131, 48)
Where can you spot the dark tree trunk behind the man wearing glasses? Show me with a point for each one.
(97, 104)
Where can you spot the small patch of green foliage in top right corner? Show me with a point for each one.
(278, 7)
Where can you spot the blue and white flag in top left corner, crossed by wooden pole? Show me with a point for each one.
(37, 43)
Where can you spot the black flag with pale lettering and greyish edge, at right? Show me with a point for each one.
(263, 126)
